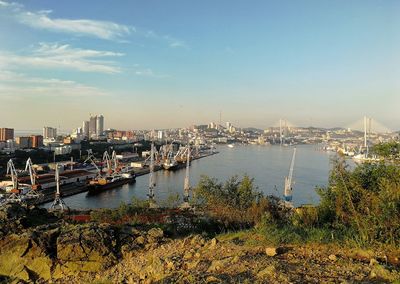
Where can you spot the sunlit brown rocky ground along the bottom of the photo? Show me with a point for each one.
(61, 252)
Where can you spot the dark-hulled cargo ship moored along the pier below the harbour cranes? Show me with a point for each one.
(104, 183)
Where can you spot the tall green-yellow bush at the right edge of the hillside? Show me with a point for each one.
(365, 201)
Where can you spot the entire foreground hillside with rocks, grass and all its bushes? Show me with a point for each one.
(235, 234)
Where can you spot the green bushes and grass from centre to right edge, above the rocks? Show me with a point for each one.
(360, 206)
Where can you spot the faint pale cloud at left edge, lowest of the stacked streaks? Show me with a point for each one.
(19, 86)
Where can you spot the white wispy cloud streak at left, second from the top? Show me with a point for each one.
(57, 56)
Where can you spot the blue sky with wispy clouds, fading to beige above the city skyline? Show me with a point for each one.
(168, 64)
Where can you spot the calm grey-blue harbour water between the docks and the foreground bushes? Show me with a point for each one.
(267, 164)
